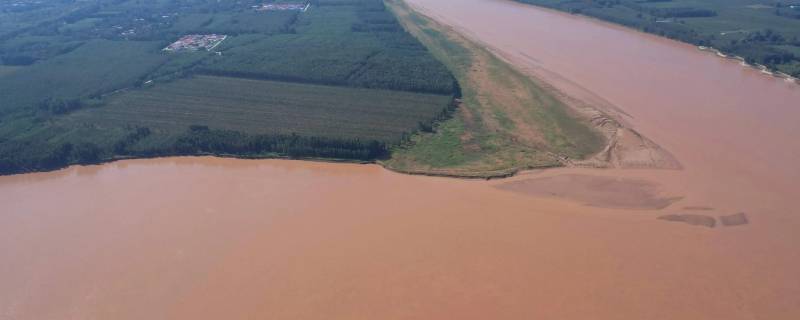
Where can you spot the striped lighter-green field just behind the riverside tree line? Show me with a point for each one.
(266, 107)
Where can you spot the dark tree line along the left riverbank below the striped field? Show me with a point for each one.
(20, 157)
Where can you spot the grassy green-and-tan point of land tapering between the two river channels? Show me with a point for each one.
(506, 121)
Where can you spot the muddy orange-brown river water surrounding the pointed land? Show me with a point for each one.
(207, 238)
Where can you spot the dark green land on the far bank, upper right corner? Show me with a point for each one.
(766, 32)
